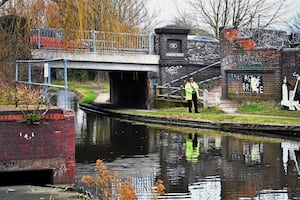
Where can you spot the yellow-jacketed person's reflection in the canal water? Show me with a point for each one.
(192, 148)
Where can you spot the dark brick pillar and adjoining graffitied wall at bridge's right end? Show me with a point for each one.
(180, 56)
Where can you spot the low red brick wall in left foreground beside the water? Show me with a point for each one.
(48, 145)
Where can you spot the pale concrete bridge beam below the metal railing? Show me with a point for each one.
(96, 60)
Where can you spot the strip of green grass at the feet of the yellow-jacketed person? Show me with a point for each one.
(258, 115)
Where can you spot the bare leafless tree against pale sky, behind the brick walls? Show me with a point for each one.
(219, 13)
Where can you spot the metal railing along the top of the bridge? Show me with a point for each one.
(95, 41)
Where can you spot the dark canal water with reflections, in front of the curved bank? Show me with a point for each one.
(193, 164)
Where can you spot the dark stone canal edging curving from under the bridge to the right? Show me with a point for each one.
(227, 126)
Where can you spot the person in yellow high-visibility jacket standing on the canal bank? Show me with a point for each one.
(192, 94)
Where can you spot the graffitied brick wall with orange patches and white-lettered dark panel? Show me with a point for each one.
(251, 68)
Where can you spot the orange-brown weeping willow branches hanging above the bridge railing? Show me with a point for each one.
(102, 15)
